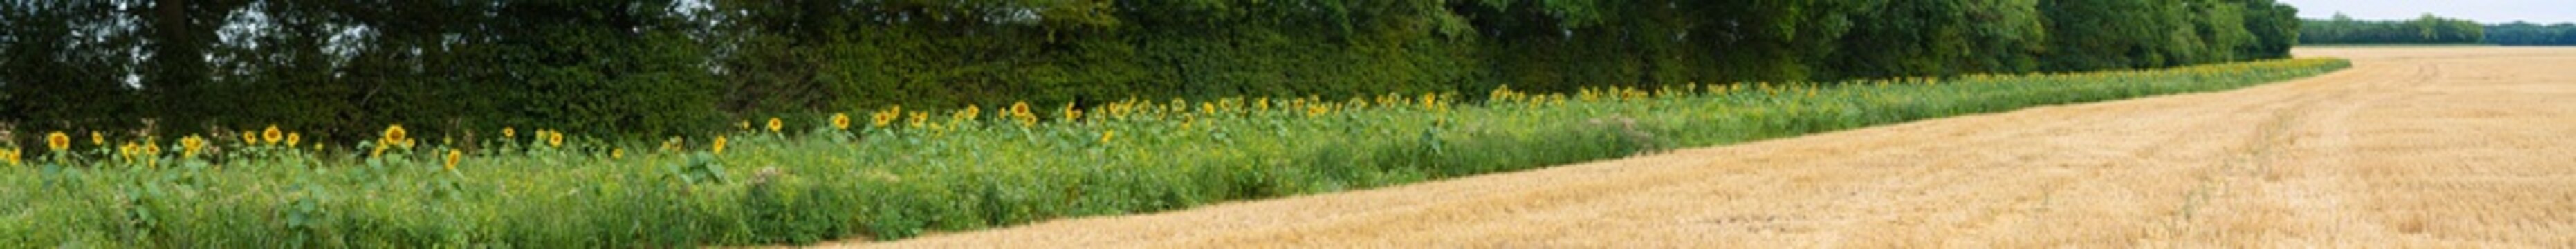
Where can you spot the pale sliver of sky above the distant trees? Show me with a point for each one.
(2485, 12)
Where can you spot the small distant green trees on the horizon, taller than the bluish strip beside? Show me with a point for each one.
(2428, 30)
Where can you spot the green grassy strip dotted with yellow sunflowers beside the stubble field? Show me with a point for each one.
(957, 171)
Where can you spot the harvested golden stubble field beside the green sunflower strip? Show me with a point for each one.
(2412, 148)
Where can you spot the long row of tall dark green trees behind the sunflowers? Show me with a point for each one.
(653, 68)
